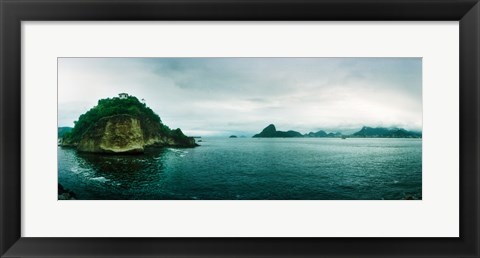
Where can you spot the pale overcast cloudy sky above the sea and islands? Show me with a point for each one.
(223, 96)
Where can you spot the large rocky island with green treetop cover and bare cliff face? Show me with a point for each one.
(121, 124)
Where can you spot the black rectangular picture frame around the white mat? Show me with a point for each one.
(13, 12)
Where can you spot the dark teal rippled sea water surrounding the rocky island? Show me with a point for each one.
(252, 169)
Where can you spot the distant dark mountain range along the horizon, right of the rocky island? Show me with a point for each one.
(366, 132)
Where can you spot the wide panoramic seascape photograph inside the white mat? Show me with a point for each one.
(231, 128)
